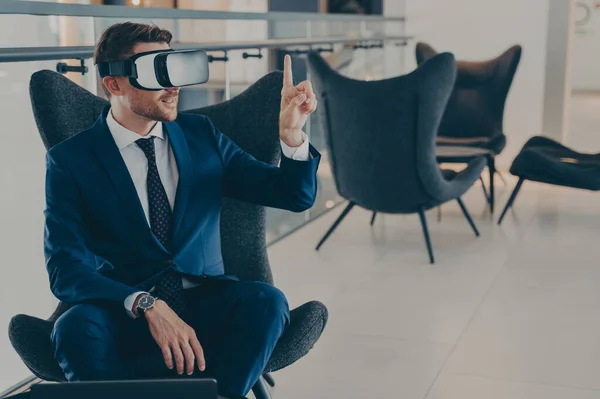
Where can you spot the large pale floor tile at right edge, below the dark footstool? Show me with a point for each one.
(540, 323)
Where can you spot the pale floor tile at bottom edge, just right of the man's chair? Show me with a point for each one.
(357, 367)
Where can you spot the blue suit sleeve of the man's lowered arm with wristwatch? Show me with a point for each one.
(70, 264)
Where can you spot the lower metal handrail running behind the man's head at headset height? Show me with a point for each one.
(22, 54)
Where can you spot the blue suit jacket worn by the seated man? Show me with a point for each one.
(97, 242)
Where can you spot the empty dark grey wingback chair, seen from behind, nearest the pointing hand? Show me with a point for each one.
(381, 140)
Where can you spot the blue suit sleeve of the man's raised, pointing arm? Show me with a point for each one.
(291, 186)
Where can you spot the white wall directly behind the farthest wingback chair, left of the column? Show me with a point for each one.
(482, 29)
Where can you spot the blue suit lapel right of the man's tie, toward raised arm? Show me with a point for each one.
(184, 166)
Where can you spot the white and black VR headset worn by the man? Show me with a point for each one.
(160, 69)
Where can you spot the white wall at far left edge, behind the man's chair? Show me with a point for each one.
(23, 279)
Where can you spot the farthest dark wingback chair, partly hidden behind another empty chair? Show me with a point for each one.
(475, 112)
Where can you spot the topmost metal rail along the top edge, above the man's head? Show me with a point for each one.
(102, 11)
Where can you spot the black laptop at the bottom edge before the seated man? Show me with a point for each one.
(147, 389)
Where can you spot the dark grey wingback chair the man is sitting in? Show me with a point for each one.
(62, 109)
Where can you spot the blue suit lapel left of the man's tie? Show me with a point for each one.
(110, 157)
